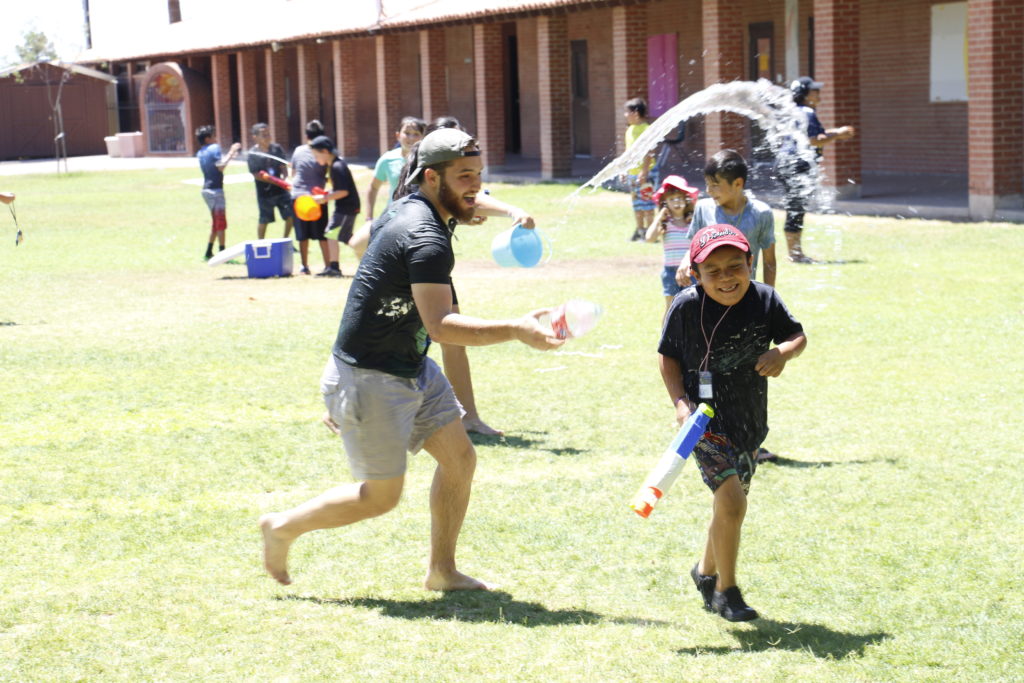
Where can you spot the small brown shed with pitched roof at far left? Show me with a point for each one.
(28, 96)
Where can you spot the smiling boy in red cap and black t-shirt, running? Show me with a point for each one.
(716, 349)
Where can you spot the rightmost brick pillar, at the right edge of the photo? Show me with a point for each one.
(997, 105)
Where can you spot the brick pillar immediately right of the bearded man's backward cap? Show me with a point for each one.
(490, 86)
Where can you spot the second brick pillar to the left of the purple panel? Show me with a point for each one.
(556, 97)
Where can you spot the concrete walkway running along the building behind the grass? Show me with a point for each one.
(940, 197)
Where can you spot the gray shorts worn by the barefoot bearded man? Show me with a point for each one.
(382, 417)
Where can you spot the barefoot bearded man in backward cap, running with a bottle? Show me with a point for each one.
(386, 396)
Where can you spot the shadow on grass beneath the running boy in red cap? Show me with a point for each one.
(819, 641)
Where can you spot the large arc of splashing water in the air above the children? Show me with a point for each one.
(769, 106)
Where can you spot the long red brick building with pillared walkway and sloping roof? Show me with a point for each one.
(932, 88)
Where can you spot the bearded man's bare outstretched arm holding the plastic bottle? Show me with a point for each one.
(435, 306)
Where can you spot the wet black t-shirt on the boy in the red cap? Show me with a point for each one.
(741, 396)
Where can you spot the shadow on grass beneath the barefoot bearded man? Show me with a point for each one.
(478, 608)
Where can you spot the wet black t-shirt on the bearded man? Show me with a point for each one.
(381, 328)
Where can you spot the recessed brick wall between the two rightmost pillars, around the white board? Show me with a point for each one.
(903, 131)
